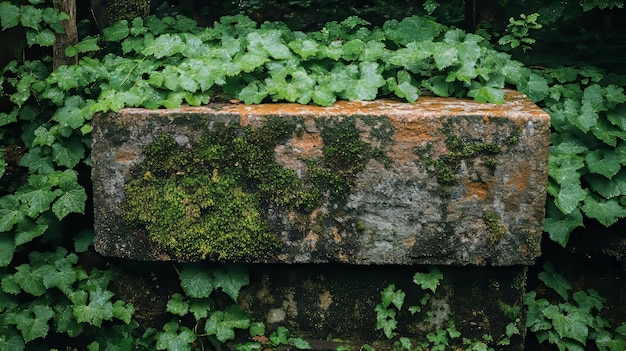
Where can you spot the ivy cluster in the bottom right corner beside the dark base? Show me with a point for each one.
(573, 322)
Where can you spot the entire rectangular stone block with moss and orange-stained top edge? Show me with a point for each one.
(440, 181)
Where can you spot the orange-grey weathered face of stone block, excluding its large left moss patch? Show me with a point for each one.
(460, 183)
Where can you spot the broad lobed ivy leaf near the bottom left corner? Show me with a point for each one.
(33, 322)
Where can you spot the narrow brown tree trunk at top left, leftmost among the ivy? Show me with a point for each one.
(70, 37)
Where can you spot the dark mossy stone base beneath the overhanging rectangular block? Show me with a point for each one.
(334, 302)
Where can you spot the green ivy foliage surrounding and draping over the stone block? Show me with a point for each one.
(163, 62)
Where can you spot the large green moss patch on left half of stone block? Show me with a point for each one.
(210, 199)
